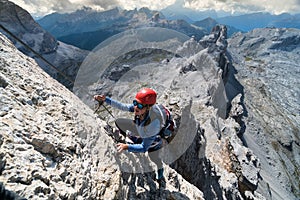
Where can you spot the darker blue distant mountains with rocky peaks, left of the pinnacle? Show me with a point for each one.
(87, 28)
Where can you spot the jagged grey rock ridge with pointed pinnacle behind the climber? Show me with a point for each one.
(206, 100)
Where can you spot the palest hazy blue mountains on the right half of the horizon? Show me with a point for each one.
(243, 22)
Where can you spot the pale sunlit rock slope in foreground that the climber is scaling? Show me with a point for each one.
(52, 146)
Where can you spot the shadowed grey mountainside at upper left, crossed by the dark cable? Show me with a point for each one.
(65, 58)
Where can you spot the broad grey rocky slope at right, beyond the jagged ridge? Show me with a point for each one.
(267, 61)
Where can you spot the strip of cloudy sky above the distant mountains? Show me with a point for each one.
(39, 8)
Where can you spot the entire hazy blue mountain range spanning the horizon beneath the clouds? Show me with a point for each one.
(86, 28)
